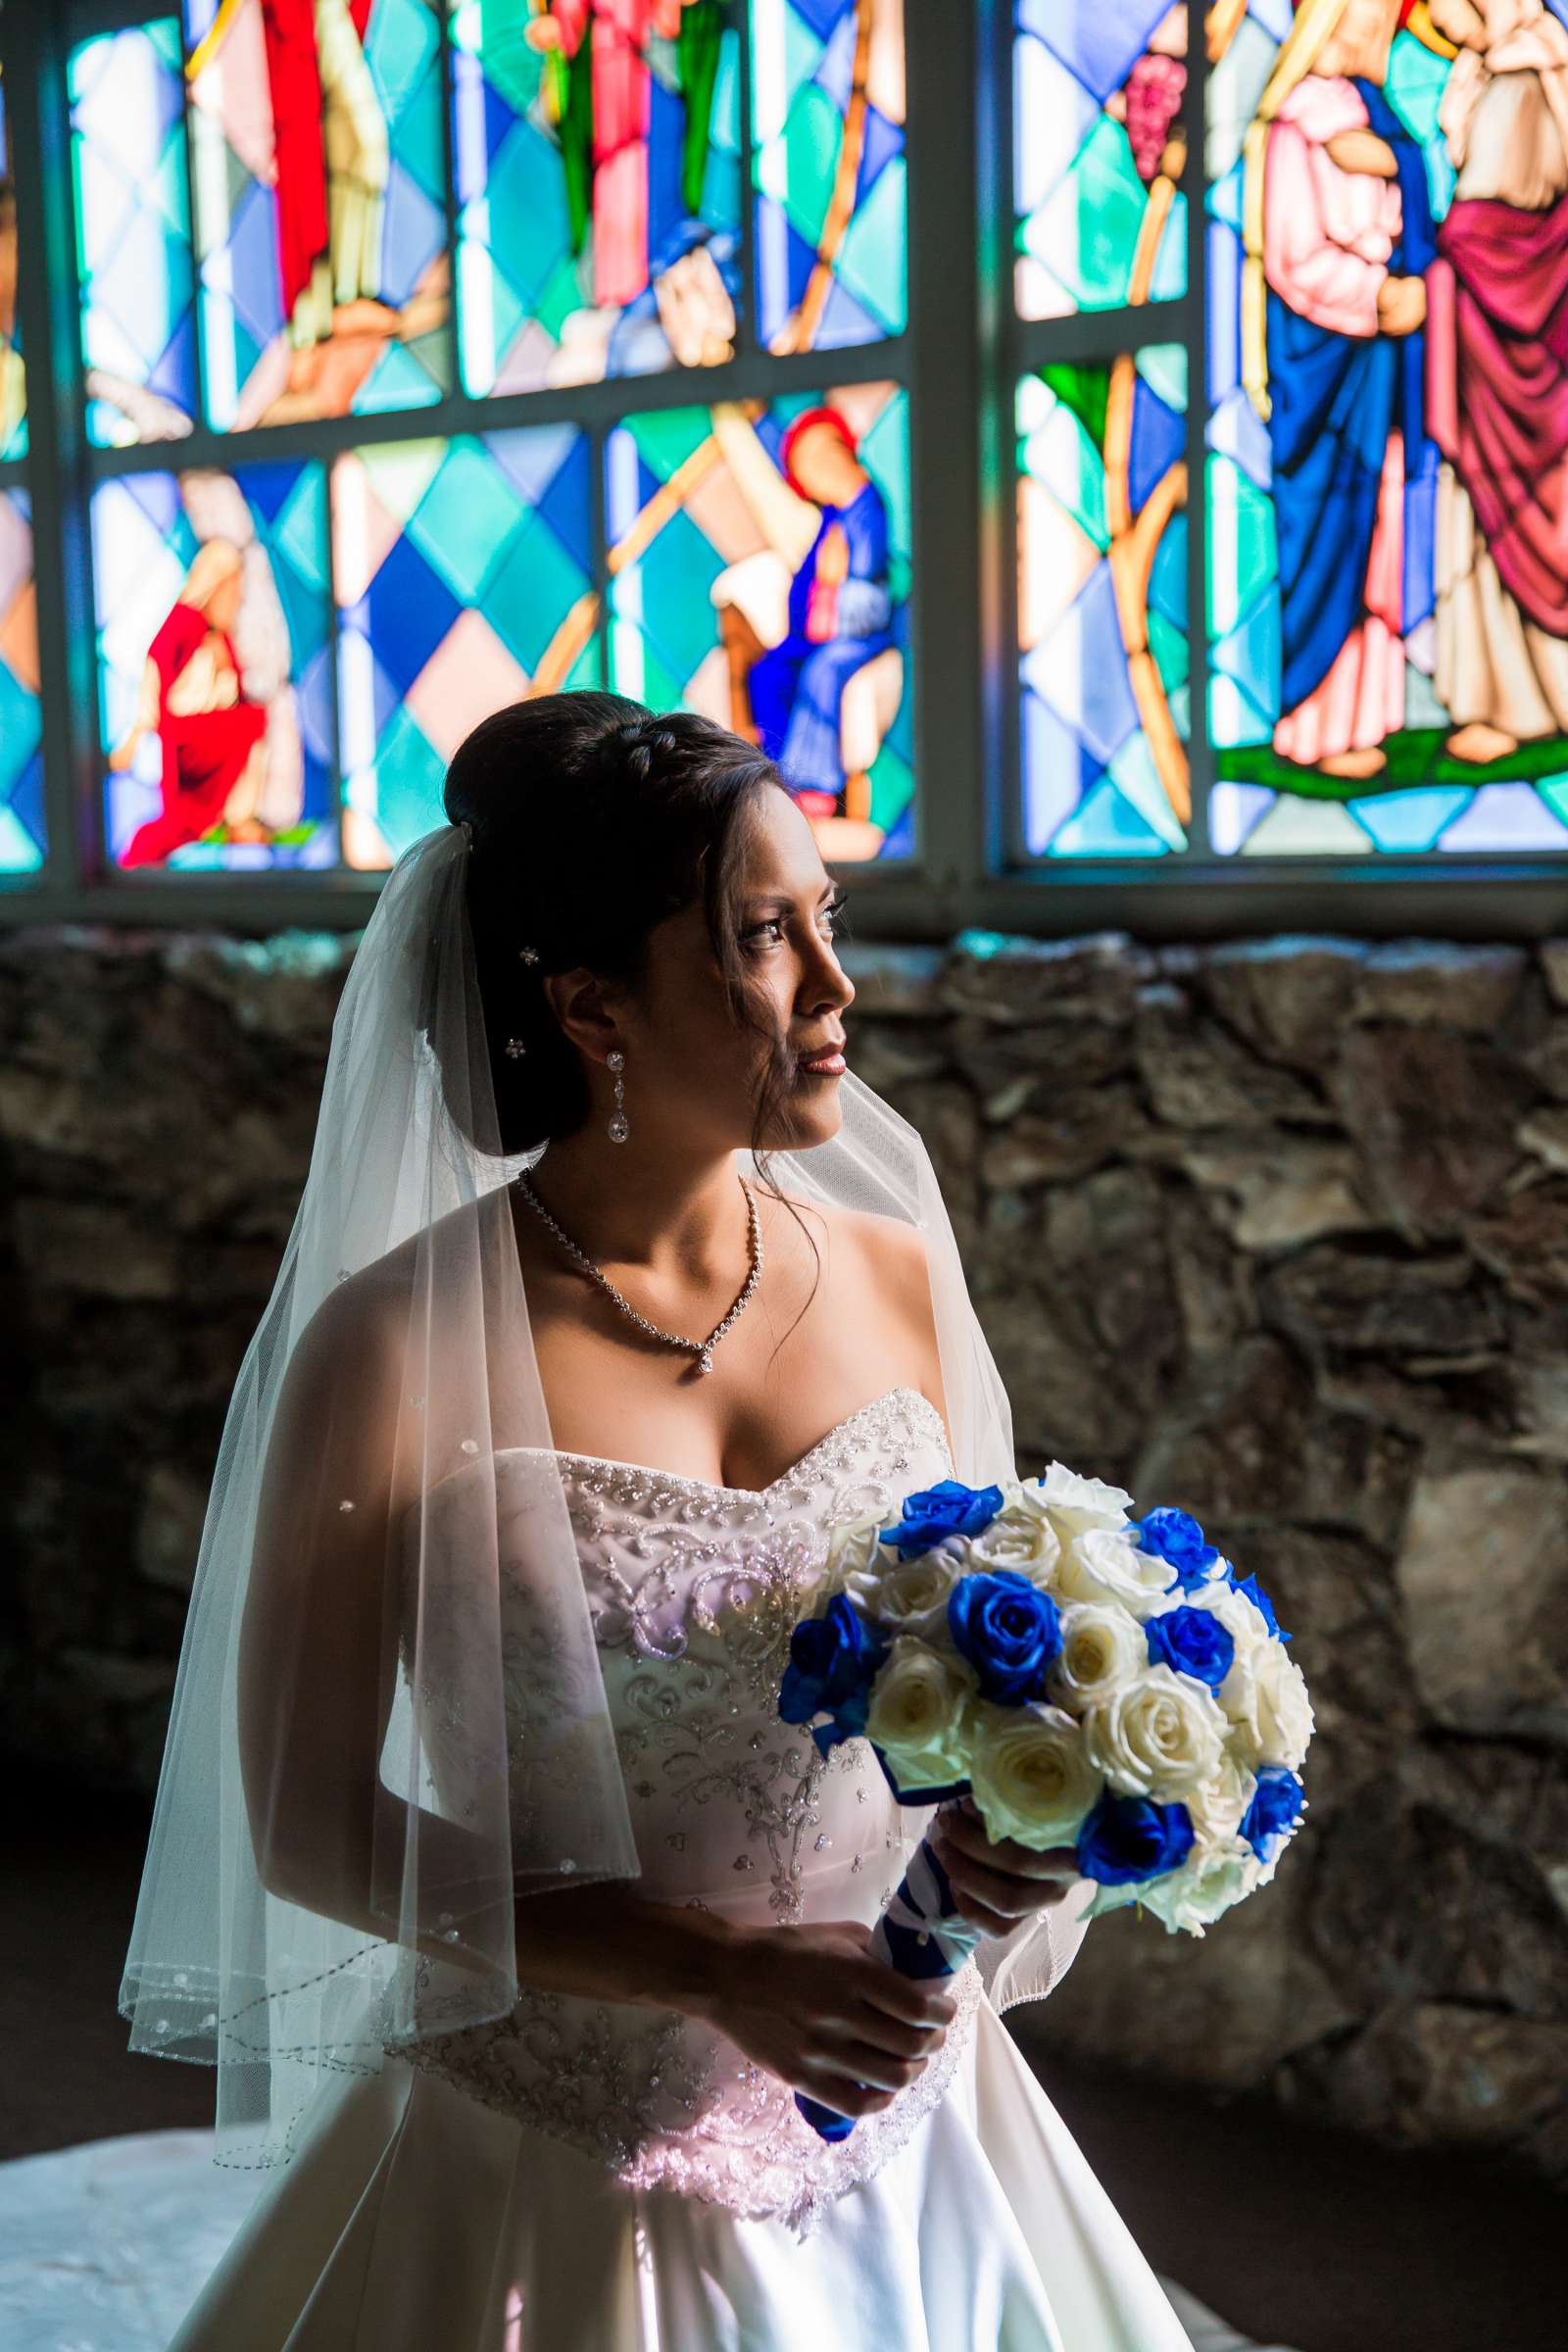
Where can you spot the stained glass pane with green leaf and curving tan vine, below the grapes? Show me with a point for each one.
(1104, 606)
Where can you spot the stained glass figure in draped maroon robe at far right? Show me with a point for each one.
(1499, 380)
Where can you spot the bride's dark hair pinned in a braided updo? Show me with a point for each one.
(594, 820)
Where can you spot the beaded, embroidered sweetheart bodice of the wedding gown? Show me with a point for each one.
(692, 1593)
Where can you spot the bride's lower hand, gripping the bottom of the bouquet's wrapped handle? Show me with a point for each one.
(822, 2012)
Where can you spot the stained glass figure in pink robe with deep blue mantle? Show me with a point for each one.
(1341, 234)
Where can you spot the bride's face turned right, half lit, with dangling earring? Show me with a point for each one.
(690, 1055)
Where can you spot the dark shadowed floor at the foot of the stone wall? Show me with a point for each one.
(1296, 2236)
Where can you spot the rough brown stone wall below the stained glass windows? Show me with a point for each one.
(1275, 1231)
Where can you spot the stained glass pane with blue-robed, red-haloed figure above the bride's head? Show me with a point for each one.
(760, 573)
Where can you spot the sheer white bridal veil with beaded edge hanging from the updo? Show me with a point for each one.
(361, 1775)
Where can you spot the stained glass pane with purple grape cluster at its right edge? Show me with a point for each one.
(1099, 154)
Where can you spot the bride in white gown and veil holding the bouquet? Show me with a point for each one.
(483, 1866)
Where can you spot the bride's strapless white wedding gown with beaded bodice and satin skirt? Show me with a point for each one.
(594, 2177)
